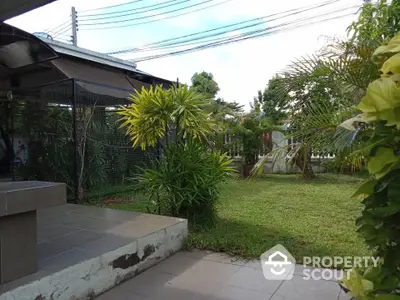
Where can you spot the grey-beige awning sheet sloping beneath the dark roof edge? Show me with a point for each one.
(98, 80)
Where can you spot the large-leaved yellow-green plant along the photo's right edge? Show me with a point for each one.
(378, 127)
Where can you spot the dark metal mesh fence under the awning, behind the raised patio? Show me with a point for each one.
(63, 132)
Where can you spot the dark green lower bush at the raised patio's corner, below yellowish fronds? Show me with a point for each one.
(185, 182)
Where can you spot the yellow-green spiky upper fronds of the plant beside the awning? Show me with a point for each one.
(155, 111)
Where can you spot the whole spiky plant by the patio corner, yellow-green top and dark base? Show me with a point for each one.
(184, 180)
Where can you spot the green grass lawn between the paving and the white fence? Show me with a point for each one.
(309, 218)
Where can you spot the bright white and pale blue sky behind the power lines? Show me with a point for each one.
(240, 69)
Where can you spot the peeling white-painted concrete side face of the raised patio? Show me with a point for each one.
(92, 277)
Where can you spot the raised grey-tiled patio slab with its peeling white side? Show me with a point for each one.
(84, 251)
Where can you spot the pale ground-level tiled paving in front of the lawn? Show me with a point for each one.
(212, 276)
